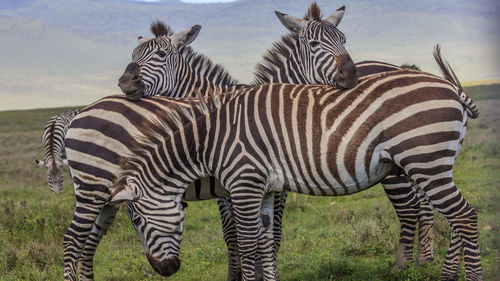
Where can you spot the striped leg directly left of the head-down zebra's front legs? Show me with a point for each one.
(230, 238)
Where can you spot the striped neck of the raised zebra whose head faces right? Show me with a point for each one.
(282, 64)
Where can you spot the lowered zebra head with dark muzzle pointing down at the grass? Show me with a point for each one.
(158, 222)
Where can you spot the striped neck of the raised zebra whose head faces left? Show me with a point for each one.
(201, 74)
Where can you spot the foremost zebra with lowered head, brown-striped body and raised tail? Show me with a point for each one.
(400, 122)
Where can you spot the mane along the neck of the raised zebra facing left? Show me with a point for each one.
(207, 66)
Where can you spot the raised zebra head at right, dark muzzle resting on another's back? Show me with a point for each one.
(320, 48)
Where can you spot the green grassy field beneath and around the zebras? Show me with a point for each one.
(331, 238)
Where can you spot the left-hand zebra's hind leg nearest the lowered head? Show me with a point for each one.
(86, 261)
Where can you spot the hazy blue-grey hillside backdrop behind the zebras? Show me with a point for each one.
(67, 52)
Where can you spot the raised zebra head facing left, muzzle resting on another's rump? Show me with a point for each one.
(156, 62)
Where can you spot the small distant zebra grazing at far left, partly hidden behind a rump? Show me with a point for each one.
(53, 142)
